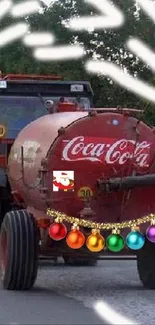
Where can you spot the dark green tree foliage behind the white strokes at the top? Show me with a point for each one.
(109, 44)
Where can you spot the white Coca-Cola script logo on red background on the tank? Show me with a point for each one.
(108, 151)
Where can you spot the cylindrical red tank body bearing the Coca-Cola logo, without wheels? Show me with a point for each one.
(93, 147)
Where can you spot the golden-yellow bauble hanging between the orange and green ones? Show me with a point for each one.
(95, 242)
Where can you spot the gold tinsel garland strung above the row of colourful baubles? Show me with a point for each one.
(59, 216)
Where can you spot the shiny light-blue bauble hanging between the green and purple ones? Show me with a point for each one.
(135, 240)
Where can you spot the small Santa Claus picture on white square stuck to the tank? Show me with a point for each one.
(63, 182)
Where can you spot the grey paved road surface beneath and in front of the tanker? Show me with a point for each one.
(66, 295)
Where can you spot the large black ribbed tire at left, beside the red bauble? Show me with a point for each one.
(18, 250)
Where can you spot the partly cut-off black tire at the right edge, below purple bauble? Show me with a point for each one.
(146, 265)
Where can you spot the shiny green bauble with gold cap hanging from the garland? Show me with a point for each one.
(115, 242)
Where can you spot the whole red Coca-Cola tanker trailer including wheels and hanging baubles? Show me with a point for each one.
(84, 186)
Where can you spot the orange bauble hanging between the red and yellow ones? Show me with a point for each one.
(75, 238)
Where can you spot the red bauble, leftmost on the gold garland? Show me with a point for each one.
(57, 231)
